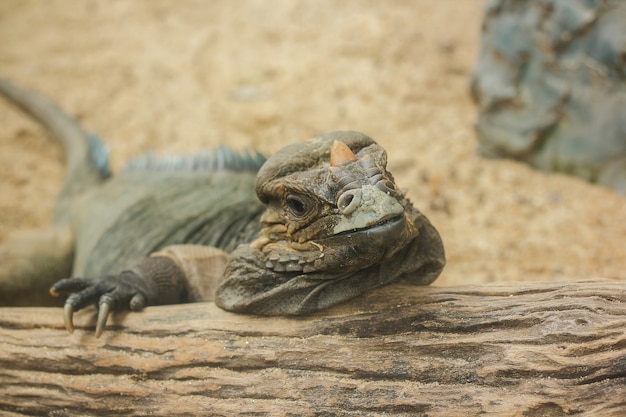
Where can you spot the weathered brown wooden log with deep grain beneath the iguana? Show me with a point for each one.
(526, 350)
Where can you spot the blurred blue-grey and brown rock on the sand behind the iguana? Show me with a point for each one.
(551, 89)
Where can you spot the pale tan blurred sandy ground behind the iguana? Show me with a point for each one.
(177, 76)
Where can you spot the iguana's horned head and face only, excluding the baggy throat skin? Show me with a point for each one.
(332, 206)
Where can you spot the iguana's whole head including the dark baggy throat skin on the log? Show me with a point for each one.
(335, 226)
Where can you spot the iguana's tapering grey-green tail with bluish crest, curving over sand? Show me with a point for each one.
(86, 157)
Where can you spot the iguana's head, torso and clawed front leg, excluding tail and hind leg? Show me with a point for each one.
(330, 225)
